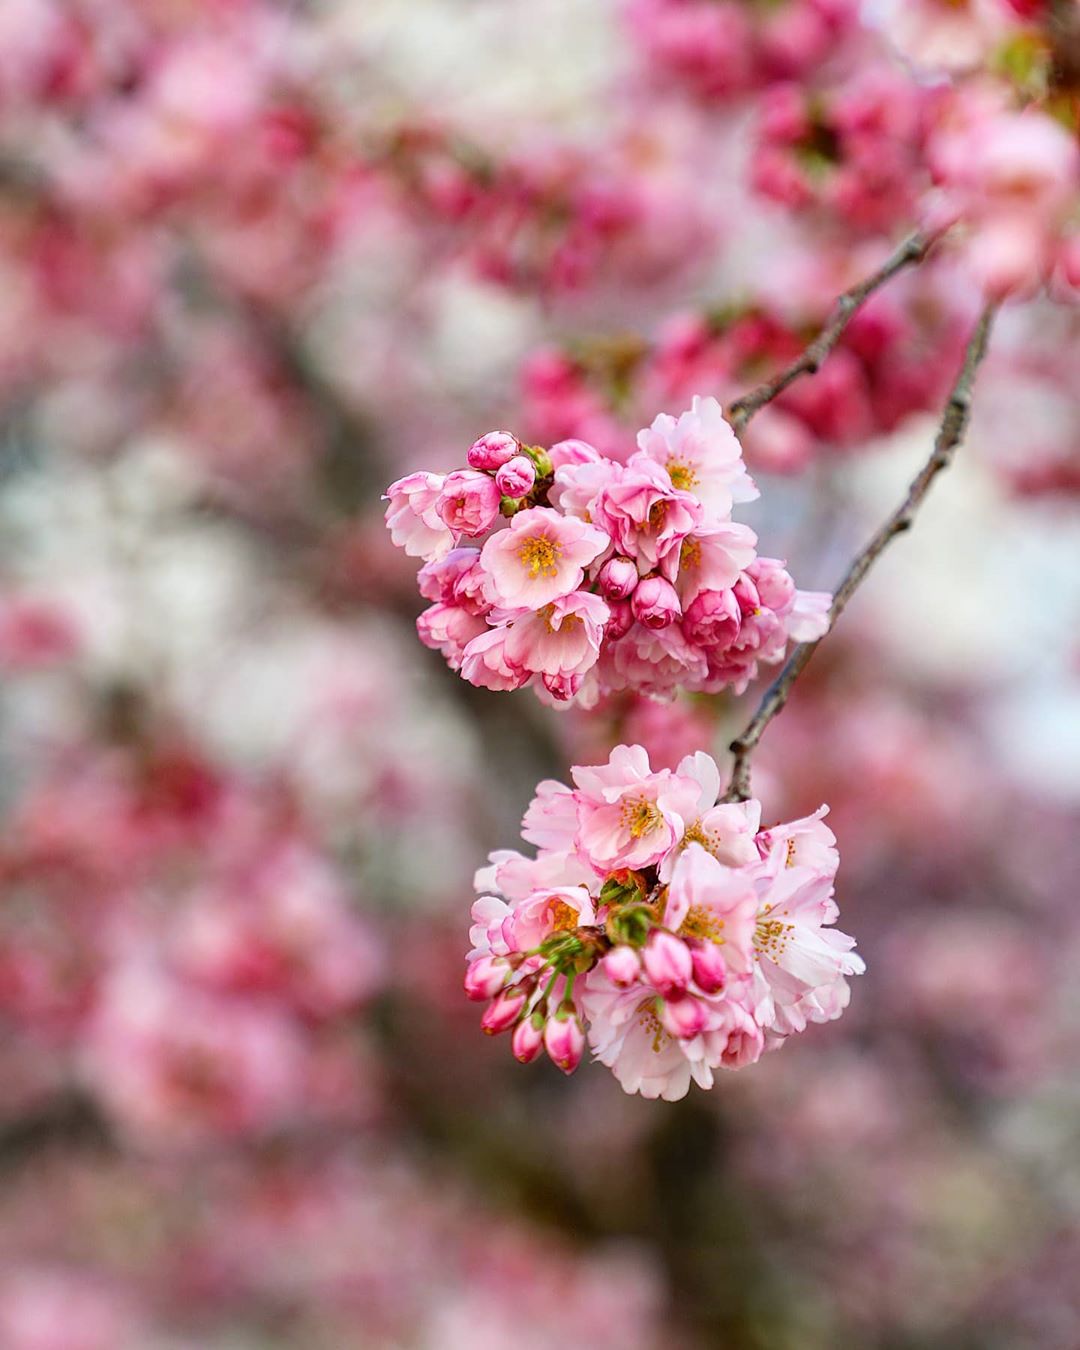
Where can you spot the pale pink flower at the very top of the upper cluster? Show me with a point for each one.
(701, 456)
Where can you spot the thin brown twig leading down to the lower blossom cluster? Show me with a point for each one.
(951, 434)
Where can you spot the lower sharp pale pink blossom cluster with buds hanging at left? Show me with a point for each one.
(672, 935)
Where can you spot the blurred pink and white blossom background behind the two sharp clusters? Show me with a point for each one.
(256, 261)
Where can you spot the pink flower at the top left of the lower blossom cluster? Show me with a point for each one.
(630, 816)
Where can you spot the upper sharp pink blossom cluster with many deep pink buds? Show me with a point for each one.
(608, 576)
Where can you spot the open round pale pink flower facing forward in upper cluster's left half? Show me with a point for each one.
(541, 558)
